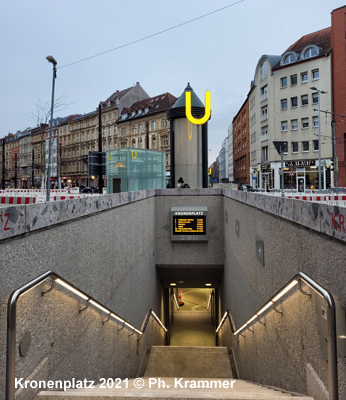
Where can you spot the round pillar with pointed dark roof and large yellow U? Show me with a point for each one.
(189, 140)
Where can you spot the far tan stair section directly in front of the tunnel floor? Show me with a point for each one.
(185, 361)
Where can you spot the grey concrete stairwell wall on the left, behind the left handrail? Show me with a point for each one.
(105, 247)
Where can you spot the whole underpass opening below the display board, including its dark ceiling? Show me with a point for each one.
(195, 322)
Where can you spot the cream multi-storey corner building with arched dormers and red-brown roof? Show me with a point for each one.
(283, 105)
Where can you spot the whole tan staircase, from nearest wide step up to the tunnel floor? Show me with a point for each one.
(174, 372)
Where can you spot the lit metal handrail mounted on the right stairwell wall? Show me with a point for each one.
(331, 324)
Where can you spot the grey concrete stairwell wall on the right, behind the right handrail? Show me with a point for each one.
(298, 237)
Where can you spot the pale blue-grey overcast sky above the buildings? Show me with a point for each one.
(218, 53)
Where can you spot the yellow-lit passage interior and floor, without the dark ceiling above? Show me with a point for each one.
(193, 323)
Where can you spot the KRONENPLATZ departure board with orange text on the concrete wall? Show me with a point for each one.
(189, 223)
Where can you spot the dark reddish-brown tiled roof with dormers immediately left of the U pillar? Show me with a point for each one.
(151, 105)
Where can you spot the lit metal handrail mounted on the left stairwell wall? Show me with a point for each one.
(11, 321)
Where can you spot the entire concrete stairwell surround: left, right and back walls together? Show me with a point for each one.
(108, 247)
